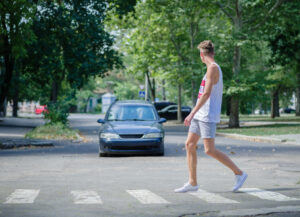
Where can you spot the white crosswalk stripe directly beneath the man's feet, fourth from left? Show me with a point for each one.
(211, 197)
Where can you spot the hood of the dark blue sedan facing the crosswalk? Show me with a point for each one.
(132, 127)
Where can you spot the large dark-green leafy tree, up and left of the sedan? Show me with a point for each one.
(72, 45)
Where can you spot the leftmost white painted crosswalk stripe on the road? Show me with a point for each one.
(20, 196)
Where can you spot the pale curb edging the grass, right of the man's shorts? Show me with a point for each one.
(251, 138)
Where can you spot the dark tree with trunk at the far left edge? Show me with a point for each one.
(16, 17)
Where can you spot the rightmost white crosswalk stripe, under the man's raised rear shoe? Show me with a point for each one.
(267, 195)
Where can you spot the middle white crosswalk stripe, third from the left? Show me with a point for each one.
(147, 197)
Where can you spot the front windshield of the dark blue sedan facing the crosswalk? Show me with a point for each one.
(131, 113)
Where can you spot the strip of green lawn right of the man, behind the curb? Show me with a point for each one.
(266, 130)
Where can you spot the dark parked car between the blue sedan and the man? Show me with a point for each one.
(170, 112)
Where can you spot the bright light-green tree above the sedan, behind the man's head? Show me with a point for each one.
(161, 38)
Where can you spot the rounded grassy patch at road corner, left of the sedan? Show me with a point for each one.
(53, 131)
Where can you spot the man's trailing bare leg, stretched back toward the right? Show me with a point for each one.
(209, 146)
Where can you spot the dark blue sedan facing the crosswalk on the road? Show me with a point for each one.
(131, 127)
